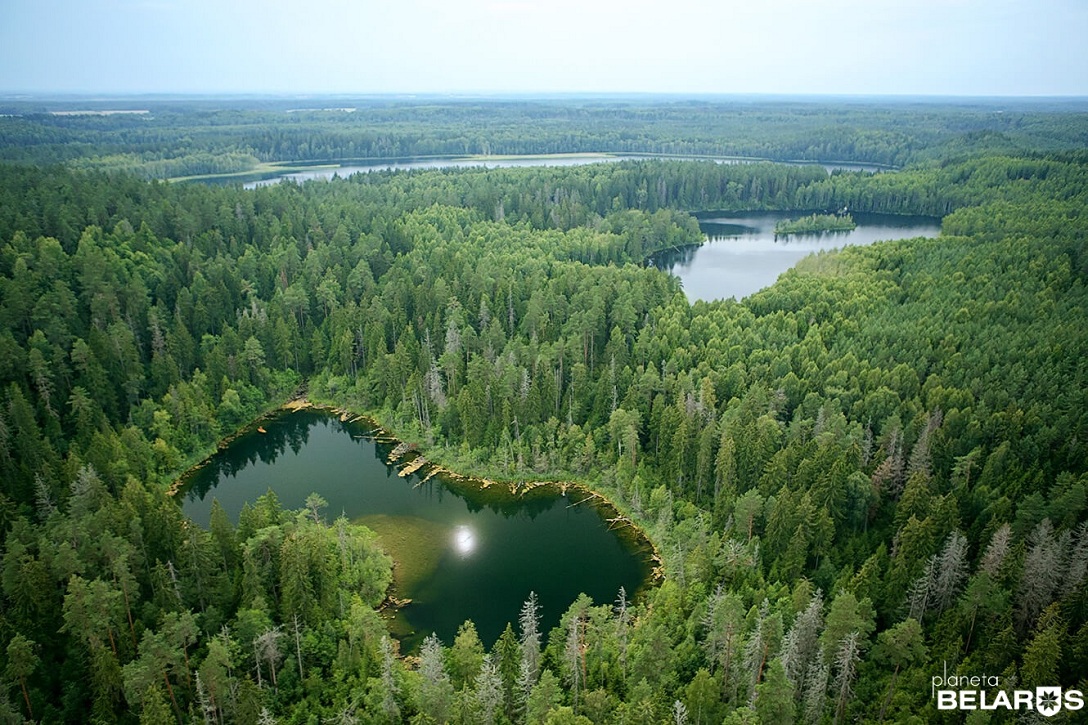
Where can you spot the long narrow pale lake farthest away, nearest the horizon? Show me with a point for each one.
(512, 162)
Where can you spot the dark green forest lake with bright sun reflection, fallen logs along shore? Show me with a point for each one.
(462, 551)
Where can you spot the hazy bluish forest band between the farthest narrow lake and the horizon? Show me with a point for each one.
(167, 139)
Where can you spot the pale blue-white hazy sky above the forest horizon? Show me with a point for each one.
(941, 47)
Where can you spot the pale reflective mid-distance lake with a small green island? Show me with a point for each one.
(743, 255)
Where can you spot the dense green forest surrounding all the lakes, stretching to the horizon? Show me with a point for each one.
(869, 475)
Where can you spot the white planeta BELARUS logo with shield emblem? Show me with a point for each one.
(962, 693)
